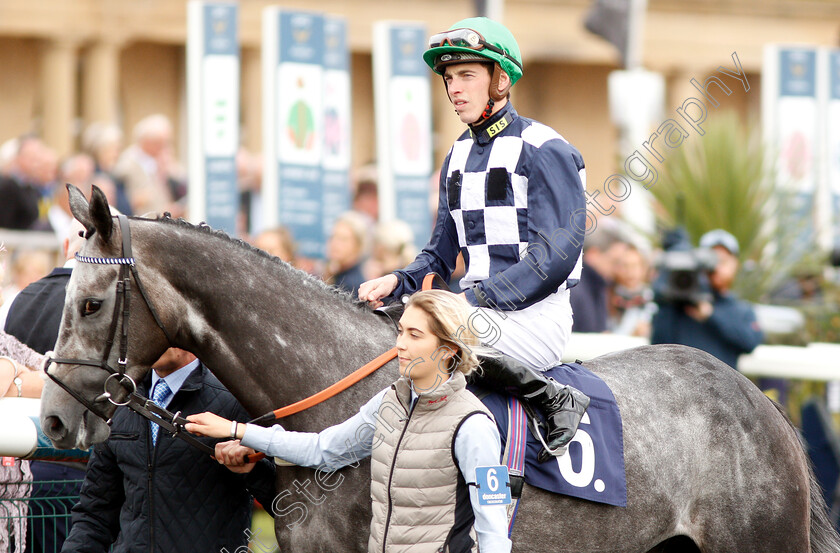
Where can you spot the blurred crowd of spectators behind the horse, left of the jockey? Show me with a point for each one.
(143, 177)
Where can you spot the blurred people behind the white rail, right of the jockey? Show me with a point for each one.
(618, 293)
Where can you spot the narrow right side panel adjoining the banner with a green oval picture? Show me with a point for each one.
(337, 122)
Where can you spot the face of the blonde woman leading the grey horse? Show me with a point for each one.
(423, 358)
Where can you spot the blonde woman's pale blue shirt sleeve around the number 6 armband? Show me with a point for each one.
(477, 444)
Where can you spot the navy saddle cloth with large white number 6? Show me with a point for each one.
(593, 466)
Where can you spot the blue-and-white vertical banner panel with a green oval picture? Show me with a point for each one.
(293, 85)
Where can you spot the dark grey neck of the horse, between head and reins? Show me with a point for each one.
(270, 333)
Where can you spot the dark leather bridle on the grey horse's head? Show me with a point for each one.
(122, 300)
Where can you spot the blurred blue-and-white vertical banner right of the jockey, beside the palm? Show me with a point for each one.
(792, 127)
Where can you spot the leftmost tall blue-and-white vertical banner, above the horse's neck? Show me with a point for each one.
(213, 112)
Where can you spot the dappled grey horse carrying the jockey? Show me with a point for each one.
(712, 464)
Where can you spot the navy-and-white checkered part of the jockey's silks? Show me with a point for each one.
(488, 200)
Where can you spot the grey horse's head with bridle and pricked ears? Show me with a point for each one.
(93, 316)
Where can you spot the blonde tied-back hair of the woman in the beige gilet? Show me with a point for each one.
(449, 320)
